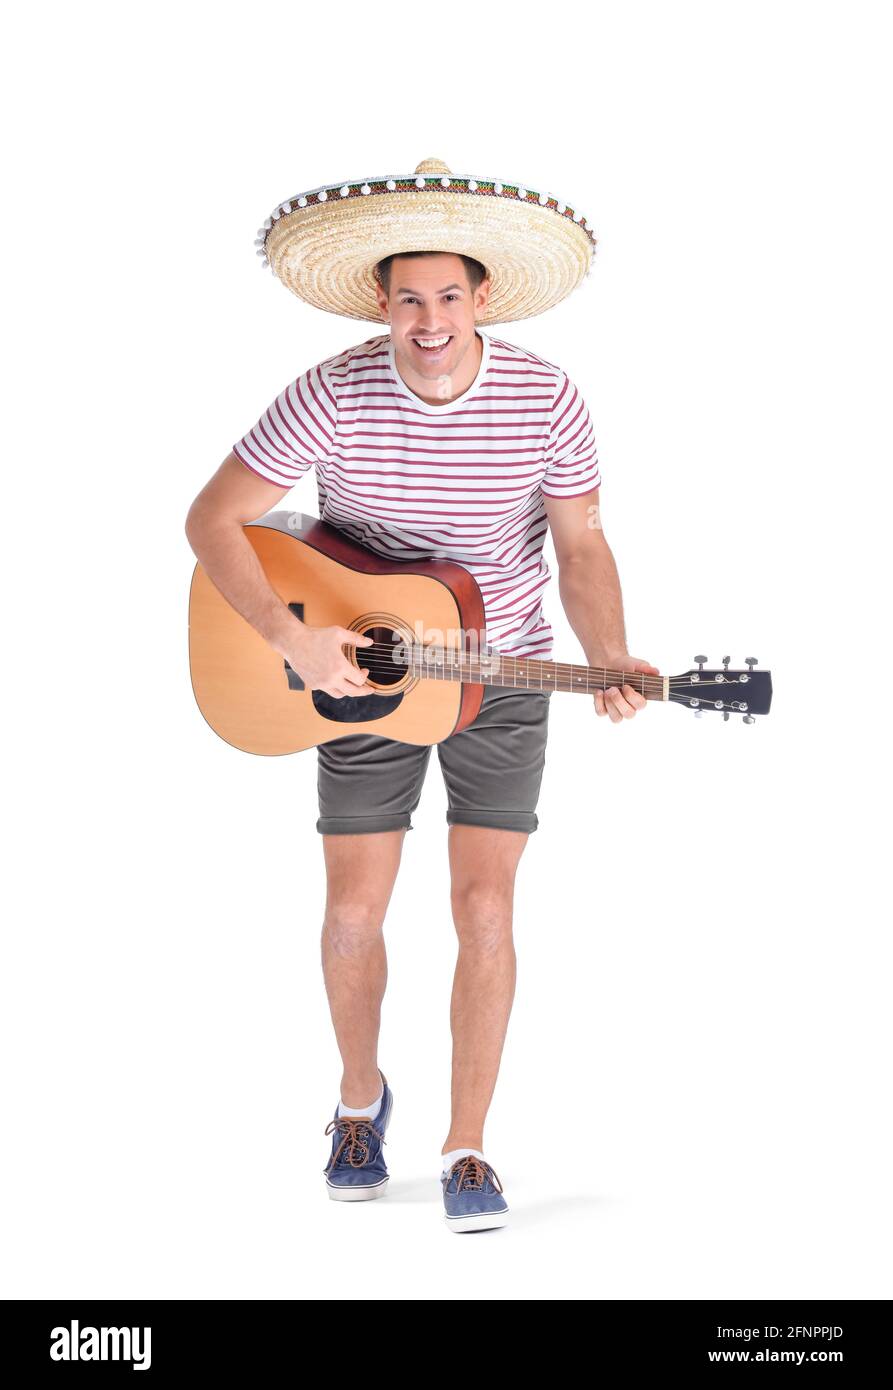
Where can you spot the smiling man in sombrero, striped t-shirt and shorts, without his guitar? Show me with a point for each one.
(432, 440)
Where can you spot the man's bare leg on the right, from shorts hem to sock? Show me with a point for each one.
(483, 864)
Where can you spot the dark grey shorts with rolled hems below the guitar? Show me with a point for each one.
(493, 771)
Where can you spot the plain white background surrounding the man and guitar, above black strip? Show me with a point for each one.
(695, 1093)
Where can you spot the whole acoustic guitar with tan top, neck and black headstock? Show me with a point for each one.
(429, 661)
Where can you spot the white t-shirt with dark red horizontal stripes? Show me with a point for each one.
(460, 482)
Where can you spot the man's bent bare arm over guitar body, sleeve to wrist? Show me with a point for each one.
(232, 500)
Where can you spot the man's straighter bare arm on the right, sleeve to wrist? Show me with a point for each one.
(588, 576)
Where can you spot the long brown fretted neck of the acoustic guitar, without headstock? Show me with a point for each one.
(524, 673)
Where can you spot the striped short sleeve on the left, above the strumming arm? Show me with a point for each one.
(297, 430)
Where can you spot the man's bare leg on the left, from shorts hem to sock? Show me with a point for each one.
(361, 875)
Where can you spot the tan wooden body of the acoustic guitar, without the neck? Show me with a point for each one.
(255, 701)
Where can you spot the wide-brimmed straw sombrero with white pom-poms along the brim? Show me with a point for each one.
(325, 244)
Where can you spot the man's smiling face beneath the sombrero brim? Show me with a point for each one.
(433, 311)
